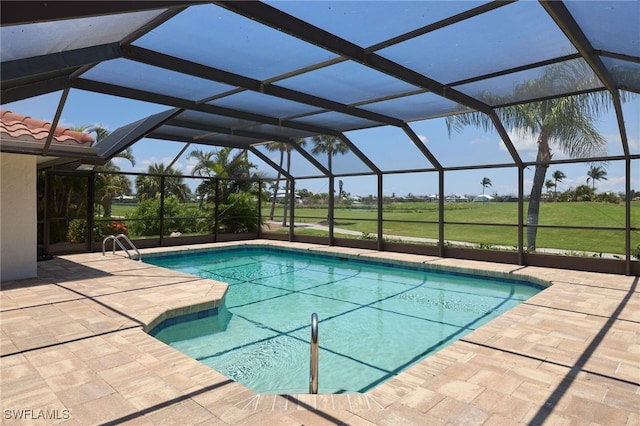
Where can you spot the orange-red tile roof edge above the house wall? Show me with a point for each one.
(22, 128)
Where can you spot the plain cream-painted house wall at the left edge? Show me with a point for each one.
(18, 217)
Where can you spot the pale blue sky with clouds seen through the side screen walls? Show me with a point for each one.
(388, 147)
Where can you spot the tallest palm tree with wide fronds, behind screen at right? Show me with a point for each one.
(565, 123)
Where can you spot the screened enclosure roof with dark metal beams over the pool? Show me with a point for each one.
(242, 74)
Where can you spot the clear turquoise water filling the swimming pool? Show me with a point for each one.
(375, 320)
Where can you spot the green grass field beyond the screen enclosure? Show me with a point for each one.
(402, 219)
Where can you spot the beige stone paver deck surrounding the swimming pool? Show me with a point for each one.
(583, 323)
